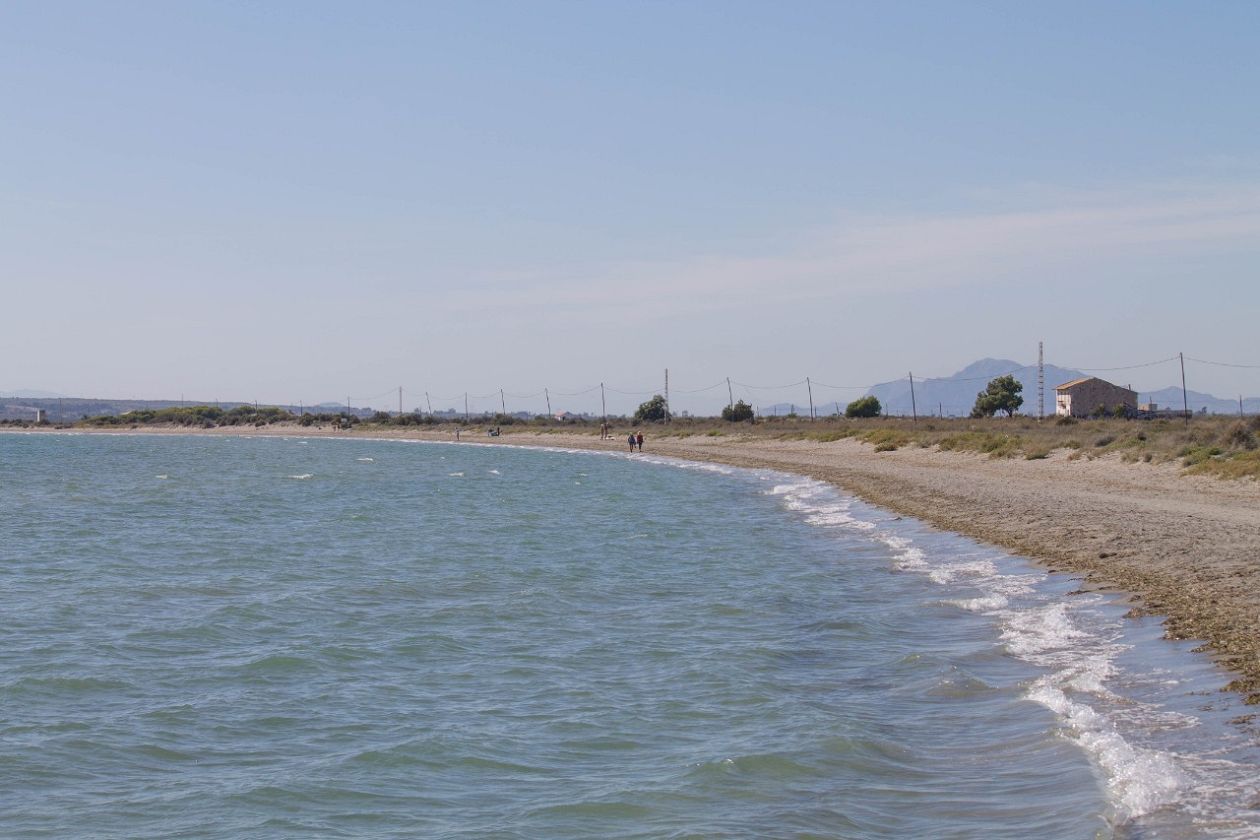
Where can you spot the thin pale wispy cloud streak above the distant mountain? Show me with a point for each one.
(876, 255)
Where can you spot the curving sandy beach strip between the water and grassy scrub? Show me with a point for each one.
(1188, 548)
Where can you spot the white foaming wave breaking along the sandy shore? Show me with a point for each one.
(1073, 647)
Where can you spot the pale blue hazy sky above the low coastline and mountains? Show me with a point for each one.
(304, 202)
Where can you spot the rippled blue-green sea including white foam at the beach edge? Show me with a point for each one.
(241, 638)
